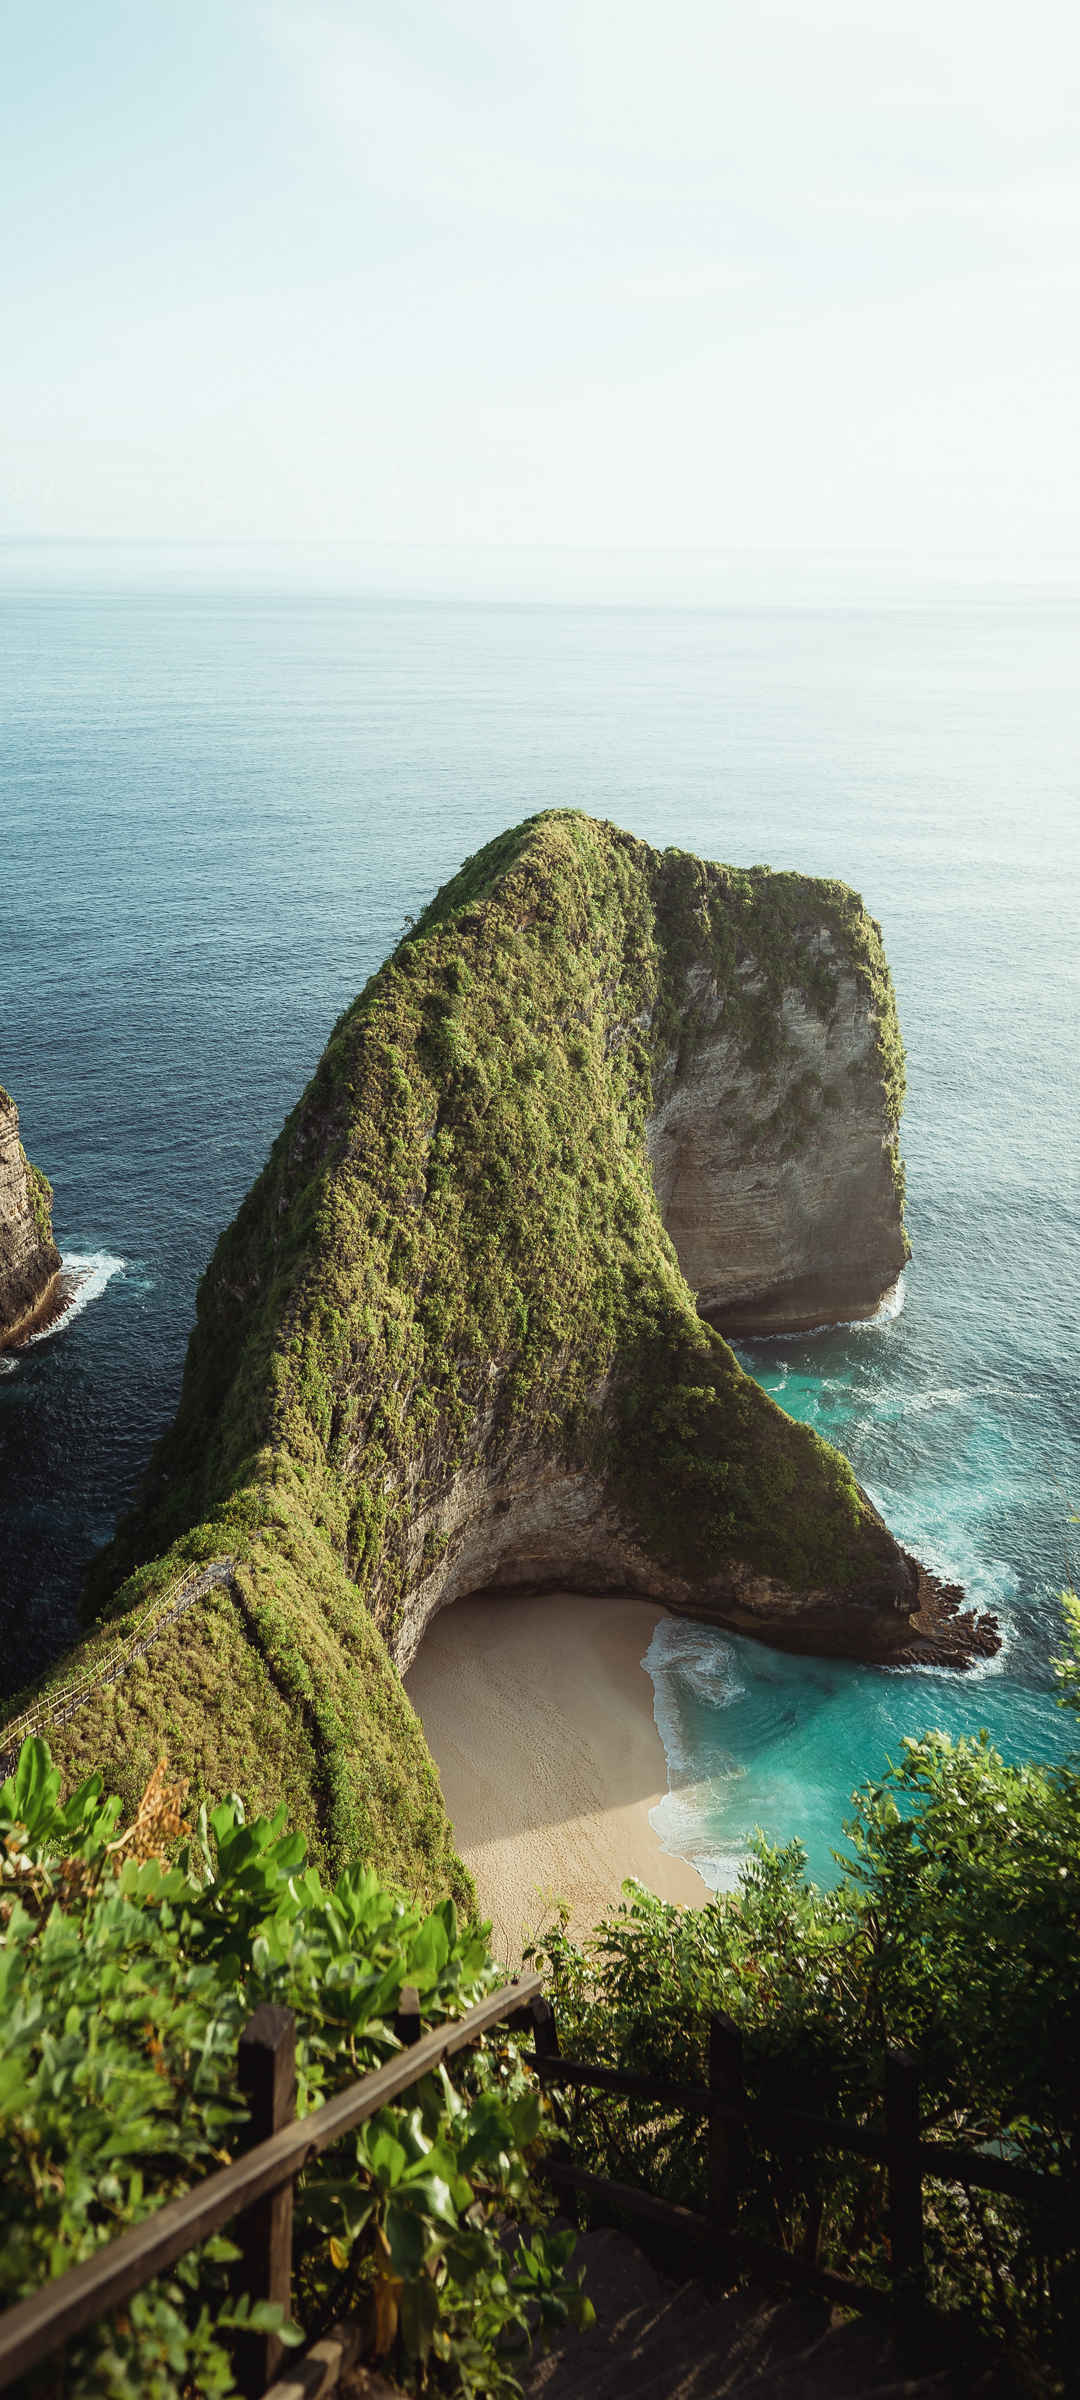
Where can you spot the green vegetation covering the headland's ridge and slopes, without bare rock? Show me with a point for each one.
(460, 1218)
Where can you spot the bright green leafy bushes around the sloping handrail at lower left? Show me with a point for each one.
(128, 1969)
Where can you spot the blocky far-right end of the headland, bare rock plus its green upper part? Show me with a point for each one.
(774, 1132)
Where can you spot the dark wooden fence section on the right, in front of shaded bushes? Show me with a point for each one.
(736, 2118)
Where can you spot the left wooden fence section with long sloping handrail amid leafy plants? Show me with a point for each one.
(258, 2188)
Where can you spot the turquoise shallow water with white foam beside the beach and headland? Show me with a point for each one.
(781, 1744)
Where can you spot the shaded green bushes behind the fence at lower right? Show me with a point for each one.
(956, 1933)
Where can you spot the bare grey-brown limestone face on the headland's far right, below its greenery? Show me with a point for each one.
(781, 1189)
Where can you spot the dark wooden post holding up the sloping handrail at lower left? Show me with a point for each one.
(265, 2231)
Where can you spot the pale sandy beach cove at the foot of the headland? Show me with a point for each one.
(541, 1722)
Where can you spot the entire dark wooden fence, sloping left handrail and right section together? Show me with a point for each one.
(258, 2188)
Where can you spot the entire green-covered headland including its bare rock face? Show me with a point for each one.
(452, 1338)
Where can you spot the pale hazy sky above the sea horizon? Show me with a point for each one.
(616, 277)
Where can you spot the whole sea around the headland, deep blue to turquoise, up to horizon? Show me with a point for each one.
(217, 810)
